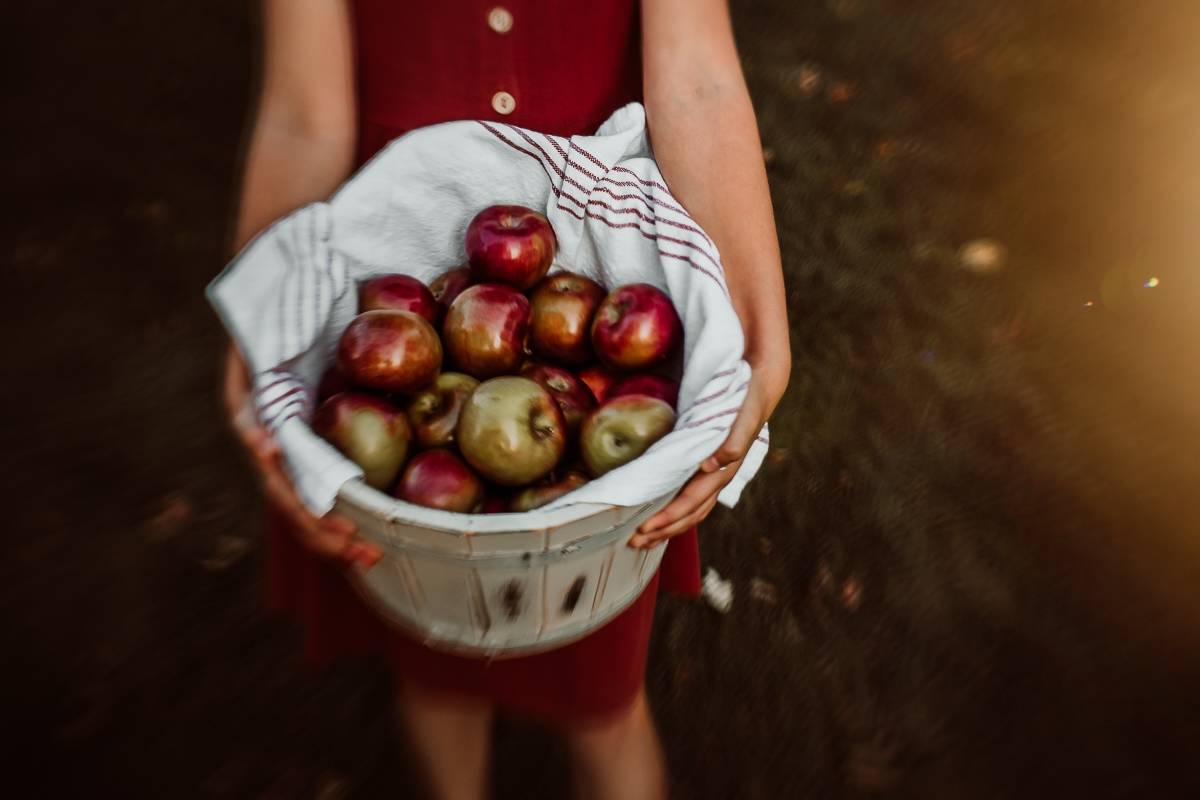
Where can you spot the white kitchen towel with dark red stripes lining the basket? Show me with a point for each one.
(287, 298)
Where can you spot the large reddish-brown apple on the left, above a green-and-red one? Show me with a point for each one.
(391, 352)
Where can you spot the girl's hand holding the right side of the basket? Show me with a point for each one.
(697, 501)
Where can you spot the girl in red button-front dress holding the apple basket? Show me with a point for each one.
(341, 79)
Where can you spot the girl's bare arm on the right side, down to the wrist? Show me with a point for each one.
(706, 142)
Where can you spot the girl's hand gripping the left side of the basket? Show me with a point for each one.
(331, 537)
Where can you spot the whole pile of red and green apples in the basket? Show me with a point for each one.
(550, 382)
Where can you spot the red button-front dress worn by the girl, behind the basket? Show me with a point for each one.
(559, 68)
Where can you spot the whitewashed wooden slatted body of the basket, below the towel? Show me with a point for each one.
(501, 586)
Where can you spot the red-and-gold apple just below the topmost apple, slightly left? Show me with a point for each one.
(485, 330)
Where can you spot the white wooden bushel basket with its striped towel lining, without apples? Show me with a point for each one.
(499, 585)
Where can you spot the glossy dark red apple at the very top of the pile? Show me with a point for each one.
(511, 244)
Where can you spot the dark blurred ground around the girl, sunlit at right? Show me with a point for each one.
(970, 568)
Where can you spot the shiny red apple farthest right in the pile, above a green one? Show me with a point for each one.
(635, 328)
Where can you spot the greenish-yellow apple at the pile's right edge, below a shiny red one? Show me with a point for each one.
(622, 430)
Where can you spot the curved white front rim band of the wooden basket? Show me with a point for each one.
(388, 509)
